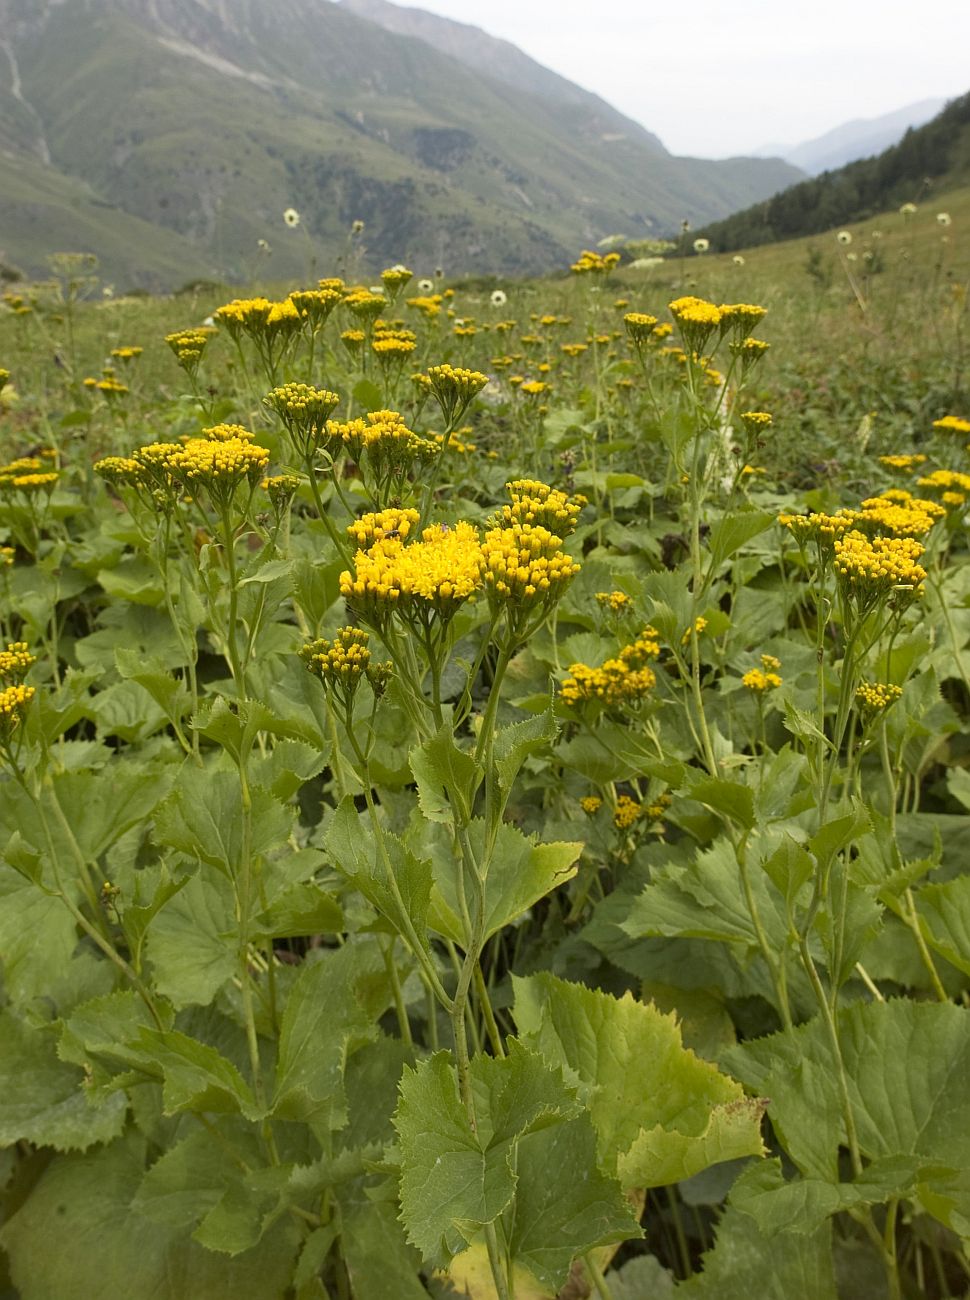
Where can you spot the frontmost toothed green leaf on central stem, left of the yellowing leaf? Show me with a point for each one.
(456, 1180)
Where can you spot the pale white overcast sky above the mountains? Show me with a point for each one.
(721, 77)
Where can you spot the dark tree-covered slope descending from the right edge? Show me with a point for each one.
(928, 162)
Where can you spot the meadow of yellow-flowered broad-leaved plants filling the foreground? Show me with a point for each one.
(484, 783)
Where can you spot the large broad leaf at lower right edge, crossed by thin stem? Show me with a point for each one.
(908, 1069)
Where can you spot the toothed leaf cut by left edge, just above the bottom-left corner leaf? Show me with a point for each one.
(44, 1098)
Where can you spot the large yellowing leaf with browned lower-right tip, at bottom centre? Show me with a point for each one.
(660, 1112)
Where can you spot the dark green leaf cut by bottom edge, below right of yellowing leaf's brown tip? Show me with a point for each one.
(744, 1263)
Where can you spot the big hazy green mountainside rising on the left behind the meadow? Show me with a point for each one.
(207, 119)
